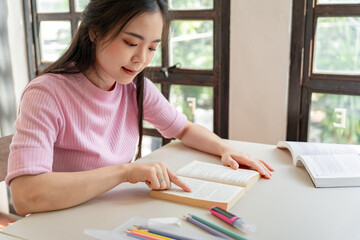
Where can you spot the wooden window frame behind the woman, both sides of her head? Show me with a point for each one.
(218, 77)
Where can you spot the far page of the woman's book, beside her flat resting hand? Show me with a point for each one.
(217, 173)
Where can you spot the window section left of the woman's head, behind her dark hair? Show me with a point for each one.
(50, 26)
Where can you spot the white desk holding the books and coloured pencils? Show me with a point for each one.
(286, 207)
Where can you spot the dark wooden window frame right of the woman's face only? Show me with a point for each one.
(218, 77)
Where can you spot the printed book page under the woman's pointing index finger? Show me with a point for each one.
(204, 190)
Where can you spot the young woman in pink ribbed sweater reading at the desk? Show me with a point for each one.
(81, 119)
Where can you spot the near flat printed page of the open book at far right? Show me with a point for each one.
(344, 165)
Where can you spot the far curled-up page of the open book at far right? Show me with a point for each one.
(310, 148)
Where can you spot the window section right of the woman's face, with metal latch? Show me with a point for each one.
(193, 73)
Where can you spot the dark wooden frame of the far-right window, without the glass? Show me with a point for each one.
(303, 82)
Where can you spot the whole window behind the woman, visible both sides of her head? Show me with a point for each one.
(192, 70)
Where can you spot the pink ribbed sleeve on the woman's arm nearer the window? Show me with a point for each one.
(160, 113)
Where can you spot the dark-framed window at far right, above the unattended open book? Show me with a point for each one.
(324, 93)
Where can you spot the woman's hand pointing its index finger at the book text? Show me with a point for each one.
(156, 175)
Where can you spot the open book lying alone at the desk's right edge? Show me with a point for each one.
(329, 165)
